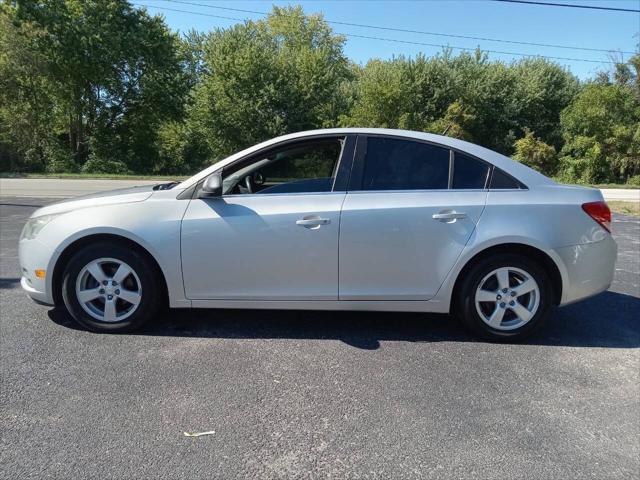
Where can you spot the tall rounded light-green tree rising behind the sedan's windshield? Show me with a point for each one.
(267, 78)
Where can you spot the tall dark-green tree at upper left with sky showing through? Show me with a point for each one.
(115, 73)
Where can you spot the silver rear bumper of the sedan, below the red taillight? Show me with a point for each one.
(589, 269)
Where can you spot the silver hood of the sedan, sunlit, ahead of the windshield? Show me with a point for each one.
(109, 197)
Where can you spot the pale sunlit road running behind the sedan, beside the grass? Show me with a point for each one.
(60, 188)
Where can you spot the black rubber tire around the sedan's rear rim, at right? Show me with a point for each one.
(465, 305)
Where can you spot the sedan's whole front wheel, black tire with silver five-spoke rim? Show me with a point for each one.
(109, 287)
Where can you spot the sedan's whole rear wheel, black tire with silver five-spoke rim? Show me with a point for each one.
(504, 298)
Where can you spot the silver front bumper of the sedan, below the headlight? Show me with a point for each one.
(35, 255)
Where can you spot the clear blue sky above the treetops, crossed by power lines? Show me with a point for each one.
(573, 27)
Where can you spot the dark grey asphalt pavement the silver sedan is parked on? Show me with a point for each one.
(319, 395)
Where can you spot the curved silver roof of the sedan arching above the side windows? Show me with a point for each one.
(523, 173)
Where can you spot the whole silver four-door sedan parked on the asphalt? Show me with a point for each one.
(339, 219)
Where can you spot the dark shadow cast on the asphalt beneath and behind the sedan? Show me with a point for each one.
(609, 320)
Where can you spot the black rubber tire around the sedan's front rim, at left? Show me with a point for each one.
(152, 298)
